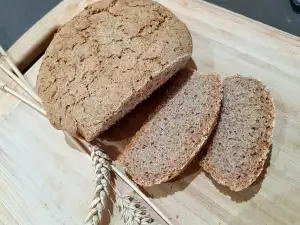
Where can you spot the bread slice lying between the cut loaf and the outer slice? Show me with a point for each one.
(175, 133)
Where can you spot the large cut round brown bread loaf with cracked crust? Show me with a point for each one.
(106, 60)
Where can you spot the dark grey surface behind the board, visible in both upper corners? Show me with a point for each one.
(17, 16)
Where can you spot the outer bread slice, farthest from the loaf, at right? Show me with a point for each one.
(236, 153)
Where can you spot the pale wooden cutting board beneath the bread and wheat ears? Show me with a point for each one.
(46, 181)
